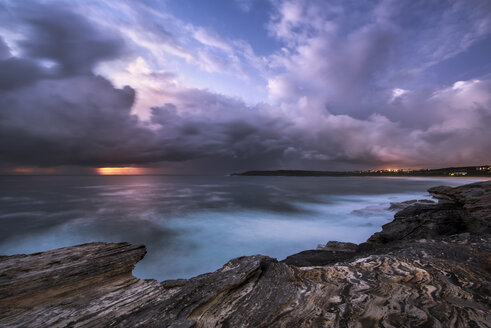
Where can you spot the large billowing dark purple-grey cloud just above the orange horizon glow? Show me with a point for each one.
(79, 120)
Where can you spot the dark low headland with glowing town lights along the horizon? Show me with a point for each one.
(463, 171)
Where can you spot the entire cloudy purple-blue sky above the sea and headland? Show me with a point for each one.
(208, 86)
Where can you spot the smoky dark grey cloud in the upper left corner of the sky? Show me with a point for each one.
(56, 43)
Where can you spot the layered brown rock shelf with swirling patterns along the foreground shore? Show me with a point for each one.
(429, 267)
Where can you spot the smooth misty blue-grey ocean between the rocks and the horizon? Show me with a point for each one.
(195, 224)
